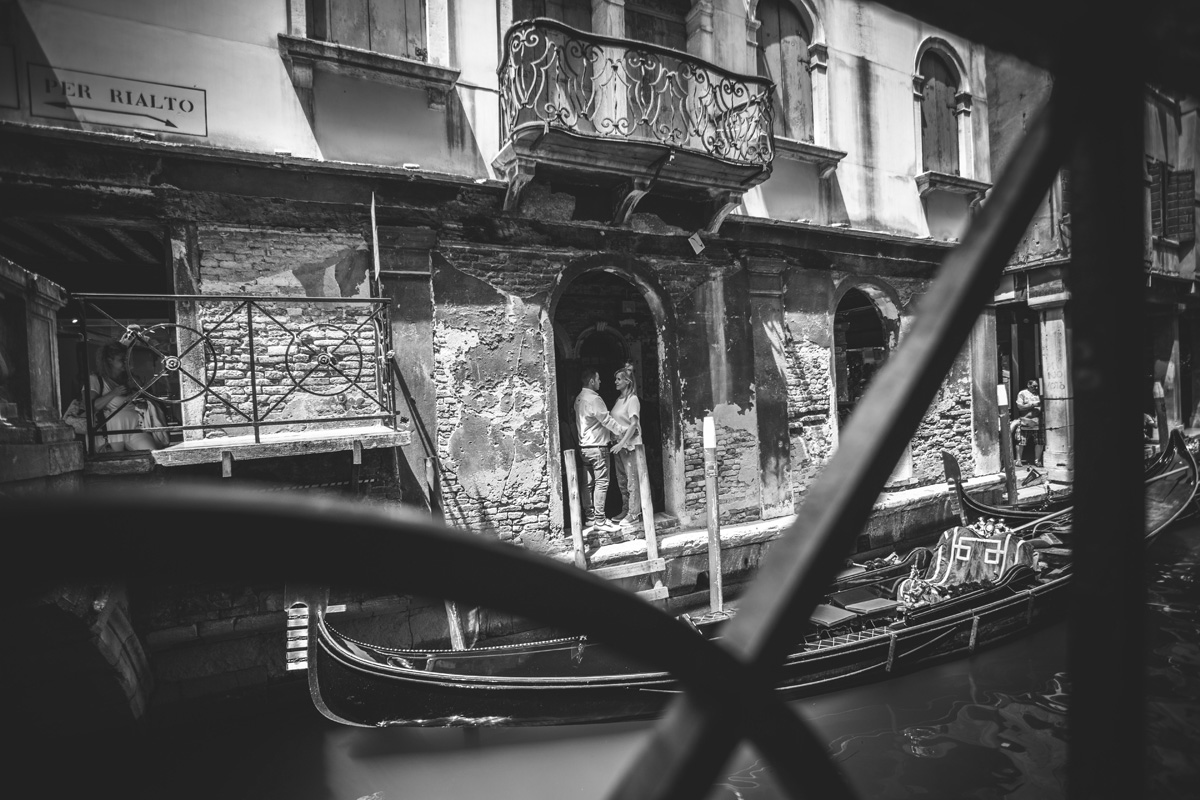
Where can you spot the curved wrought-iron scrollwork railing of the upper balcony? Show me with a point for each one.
(557, 77)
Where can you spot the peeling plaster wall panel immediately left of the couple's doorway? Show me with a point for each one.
(493, 389)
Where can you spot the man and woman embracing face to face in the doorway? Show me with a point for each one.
(597, 428)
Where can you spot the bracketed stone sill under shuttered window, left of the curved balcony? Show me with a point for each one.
(303, 56)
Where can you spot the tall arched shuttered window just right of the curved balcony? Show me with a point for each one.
(784, 57)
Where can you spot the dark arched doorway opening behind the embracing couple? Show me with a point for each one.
(603, 321)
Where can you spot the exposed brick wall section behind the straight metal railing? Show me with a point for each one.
(310, 359)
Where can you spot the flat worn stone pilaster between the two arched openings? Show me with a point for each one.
(771, 387)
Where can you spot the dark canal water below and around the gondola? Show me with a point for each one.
(993, 726)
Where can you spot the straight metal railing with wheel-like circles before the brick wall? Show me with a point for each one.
(238, 363)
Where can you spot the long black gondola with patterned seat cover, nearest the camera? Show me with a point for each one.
(981, 585)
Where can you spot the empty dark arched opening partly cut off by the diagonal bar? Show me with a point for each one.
(861, 347)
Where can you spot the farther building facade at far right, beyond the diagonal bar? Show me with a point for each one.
(1030, 315)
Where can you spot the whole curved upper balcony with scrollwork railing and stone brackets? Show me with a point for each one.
(640, 116)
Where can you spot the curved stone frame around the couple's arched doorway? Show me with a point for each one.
(670, 396)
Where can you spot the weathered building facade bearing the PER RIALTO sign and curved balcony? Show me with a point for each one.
(760, 273)
